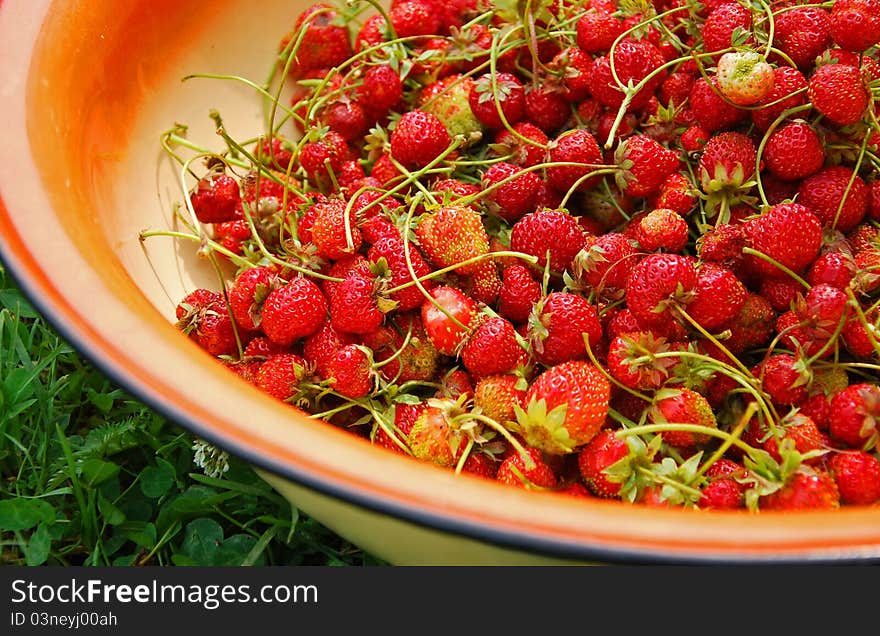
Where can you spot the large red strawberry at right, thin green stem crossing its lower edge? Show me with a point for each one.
(788, 233)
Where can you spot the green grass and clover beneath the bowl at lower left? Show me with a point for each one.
(91, 476)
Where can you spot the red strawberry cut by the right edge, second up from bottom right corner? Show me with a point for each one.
(855, 412)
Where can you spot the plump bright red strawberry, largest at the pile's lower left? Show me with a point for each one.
(294, 311)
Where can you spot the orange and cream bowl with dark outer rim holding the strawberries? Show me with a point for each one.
(87, 89)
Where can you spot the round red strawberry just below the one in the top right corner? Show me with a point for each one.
(838, 92)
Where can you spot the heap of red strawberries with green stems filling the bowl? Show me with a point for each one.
(607, 248)
